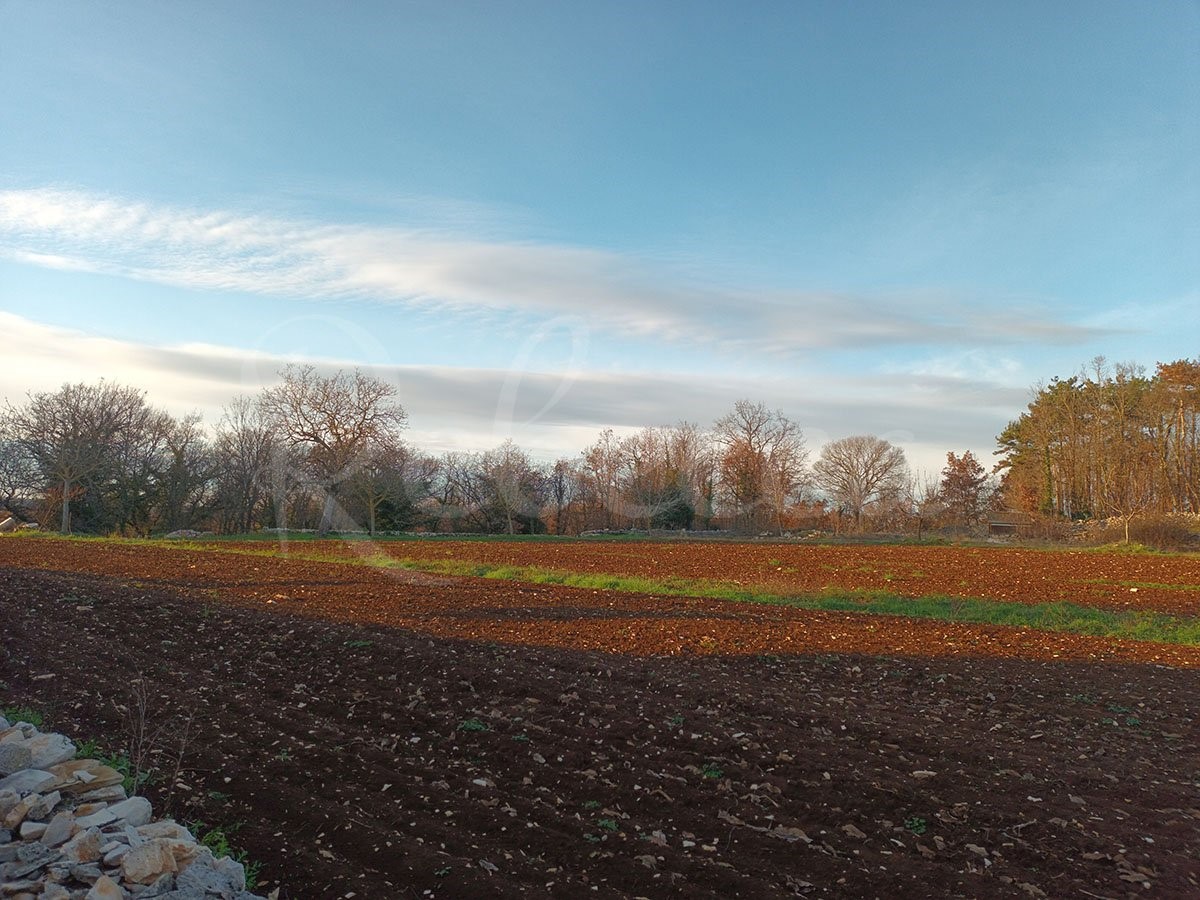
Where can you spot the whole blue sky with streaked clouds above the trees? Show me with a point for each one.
(539, 220)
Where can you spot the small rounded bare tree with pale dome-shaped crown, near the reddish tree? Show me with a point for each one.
(860, 471)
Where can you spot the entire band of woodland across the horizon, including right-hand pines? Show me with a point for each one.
(327, 453)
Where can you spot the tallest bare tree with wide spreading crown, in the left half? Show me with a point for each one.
(332, 423)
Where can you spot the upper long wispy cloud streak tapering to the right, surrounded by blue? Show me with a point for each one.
(230, 251)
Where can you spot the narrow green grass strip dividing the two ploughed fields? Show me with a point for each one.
(1065, 617)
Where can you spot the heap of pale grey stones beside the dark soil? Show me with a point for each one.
(69, 832)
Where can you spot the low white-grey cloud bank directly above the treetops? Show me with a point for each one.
(550, 415)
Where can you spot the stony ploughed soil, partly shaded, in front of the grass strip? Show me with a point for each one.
(440, 737)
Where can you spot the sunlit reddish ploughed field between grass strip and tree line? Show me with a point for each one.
(1168, 584)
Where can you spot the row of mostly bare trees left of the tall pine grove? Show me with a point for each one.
(327, 453)
